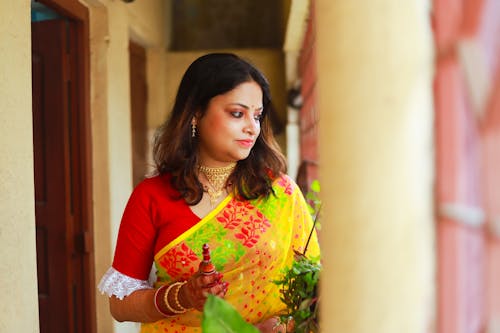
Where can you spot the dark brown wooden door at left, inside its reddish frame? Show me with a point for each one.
(58, 183)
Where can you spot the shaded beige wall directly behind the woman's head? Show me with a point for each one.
(270, 62)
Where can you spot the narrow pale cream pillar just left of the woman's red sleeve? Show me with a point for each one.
(119, 126)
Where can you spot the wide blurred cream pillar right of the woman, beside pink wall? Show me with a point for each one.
(375, 67)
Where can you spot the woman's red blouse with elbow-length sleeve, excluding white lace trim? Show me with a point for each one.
(153, 217)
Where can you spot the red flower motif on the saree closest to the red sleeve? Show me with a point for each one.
(178, 259)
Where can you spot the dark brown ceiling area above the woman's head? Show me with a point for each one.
(219, 24)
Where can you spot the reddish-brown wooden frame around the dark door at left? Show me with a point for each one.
(74, 10)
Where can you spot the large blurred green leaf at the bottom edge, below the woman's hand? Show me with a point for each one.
(221, 317)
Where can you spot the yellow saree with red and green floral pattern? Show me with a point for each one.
(251, 243)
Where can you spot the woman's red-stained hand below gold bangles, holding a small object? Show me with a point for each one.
(194, 293)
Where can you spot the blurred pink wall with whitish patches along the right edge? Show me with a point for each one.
(467, 166)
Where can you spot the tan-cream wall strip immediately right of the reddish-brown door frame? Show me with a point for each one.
(99, 42)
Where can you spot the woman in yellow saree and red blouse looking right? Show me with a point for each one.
(221, 182)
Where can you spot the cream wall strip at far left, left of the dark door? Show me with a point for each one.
(18, 281)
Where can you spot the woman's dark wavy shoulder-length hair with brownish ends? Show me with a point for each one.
(175, 150)
